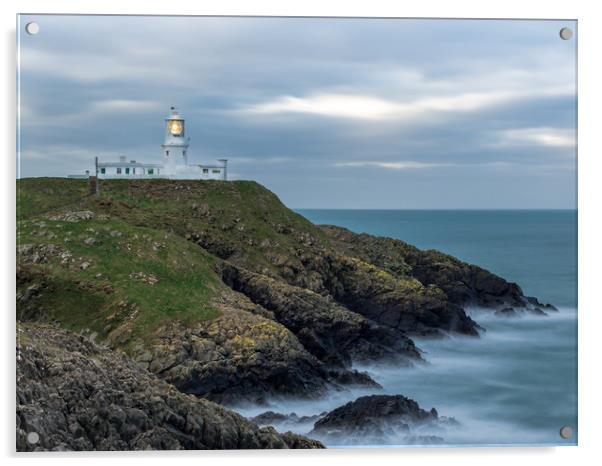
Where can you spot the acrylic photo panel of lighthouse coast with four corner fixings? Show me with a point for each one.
(274, 232)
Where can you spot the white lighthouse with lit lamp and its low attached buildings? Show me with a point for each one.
(174, 164)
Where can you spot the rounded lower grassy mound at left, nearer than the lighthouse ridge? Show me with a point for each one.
(131, 308)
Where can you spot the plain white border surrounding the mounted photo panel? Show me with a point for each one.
(590, 121)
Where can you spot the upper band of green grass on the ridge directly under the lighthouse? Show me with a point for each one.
(242, 216)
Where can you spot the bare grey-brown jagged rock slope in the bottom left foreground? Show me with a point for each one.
(75, 395)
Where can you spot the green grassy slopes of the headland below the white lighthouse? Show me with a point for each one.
(138, 232)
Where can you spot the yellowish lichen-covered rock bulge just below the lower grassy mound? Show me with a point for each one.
(238, 357)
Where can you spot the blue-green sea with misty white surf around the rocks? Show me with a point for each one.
(517, 383)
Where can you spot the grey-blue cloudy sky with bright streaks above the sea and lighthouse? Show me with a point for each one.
(341, 113)
